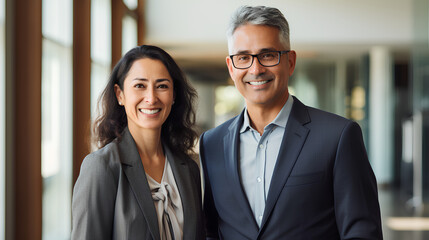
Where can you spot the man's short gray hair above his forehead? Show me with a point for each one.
(259, 15)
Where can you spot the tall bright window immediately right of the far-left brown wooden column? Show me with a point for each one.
(57, 96)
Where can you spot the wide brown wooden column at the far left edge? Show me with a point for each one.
(26, 120)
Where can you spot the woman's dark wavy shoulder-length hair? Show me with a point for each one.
(178, 129)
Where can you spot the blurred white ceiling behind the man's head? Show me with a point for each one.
(192, 28)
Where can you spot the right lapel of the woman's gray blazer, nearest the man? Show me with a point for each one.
(183, 180)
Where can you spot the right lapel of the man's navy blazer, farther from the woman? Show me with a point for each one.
(292, 143)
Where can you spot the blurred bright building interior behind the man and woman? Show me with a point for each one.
(365, 60)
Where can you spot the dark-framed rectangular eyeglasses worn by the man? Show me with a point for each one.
(266, 59)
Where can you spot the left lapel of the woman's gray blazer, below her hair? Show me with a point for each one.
(136, 176)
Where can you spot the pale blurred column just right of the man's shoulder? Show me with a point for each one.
(381, 115)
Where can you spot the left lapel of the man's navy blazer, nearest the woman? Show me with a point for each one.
(231, 147)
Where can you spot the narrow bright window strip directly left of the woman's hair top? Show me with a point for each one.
(101, 50)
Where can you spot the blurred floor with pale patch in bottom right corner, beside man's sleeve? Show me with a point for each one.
(394, 209)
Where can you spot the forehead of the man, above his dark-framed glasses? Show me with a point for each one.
(253, 38)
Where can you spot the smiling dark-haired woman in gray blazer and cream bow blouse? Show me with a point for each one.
(141, 183)
